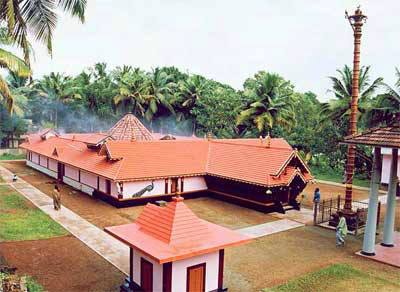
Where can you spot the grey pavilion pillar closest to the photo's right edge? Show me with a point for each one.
(388, 232)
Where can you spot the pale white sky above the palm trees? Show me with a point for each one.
(305, 41)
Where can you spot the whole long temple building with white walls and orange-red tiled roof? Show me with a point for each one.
(130, 165)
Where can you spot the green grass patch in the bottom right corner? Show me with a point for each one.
(338, 277)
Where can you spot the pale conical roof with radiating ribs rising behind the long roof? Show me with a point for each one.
(130, 128)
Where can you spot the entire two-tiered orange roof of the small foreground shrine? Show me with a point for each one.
(174, 233)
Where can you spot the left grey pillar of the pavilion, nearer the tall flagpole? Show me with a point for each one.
(370, 229)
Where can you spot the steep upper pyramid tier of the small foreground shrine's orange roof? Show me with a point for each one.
(174, 224)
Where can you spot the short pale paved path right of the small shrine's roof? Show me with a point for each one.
(269, 228)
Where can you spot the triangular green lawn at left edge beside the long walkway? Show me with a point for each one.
(19, 220)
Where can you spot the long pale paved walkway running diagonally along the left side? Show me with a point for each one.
(105, 245)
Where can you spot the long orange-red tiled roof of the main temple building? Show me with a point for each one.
(238, 160)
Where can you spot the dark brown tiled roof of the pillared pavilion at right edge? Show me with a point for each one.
(382, 137)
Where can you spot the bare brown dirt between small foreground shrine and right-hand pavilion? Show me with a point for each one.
(275, 259)
